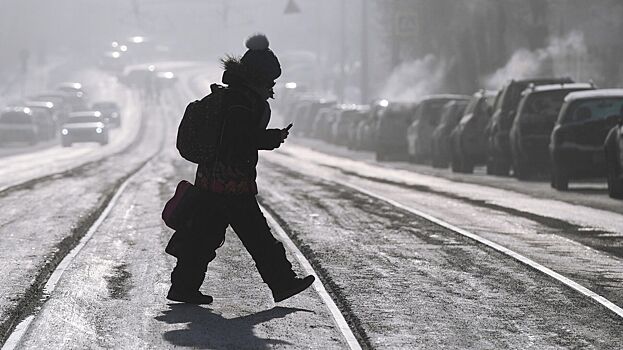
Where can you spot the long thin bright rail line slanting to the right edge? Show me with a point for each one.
(566, 281)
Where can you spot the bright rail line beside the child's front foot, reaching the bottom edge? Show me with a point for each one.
(320, 289)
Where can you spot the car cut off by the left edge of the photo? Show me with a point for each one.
(17, 124)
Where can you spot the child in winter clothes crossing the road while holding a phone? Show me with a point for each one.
(228, 184)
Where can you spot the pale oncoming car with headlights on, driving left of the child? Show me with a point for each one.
(87, 126)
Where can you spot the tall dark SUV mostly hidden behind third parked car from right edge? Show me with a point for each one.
(499, 158)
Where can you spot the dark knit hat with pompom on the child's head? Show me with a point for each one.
(260, 60)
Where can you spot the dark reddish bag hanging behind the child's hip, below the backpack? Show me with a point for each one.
(178, 210)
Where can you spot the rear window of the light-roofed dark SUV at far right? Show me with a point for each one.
(594, 109)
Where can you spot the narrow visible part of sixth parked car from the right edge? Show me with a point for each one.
(450, 117)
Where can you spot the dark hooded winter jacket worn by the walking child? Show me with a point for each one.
(244, 133)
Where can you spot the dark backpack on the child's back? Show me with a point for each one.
(200, 131)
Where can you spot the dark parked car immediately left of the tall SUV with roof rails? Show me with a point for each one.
(467, 140)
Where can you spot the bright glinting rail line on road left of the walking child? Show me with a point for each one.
(50, 285)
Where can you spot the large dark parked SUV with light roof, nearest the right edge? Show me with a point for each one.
(576, 144)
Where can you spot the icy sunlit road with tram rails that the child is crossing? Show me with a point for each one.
(83, 255)
